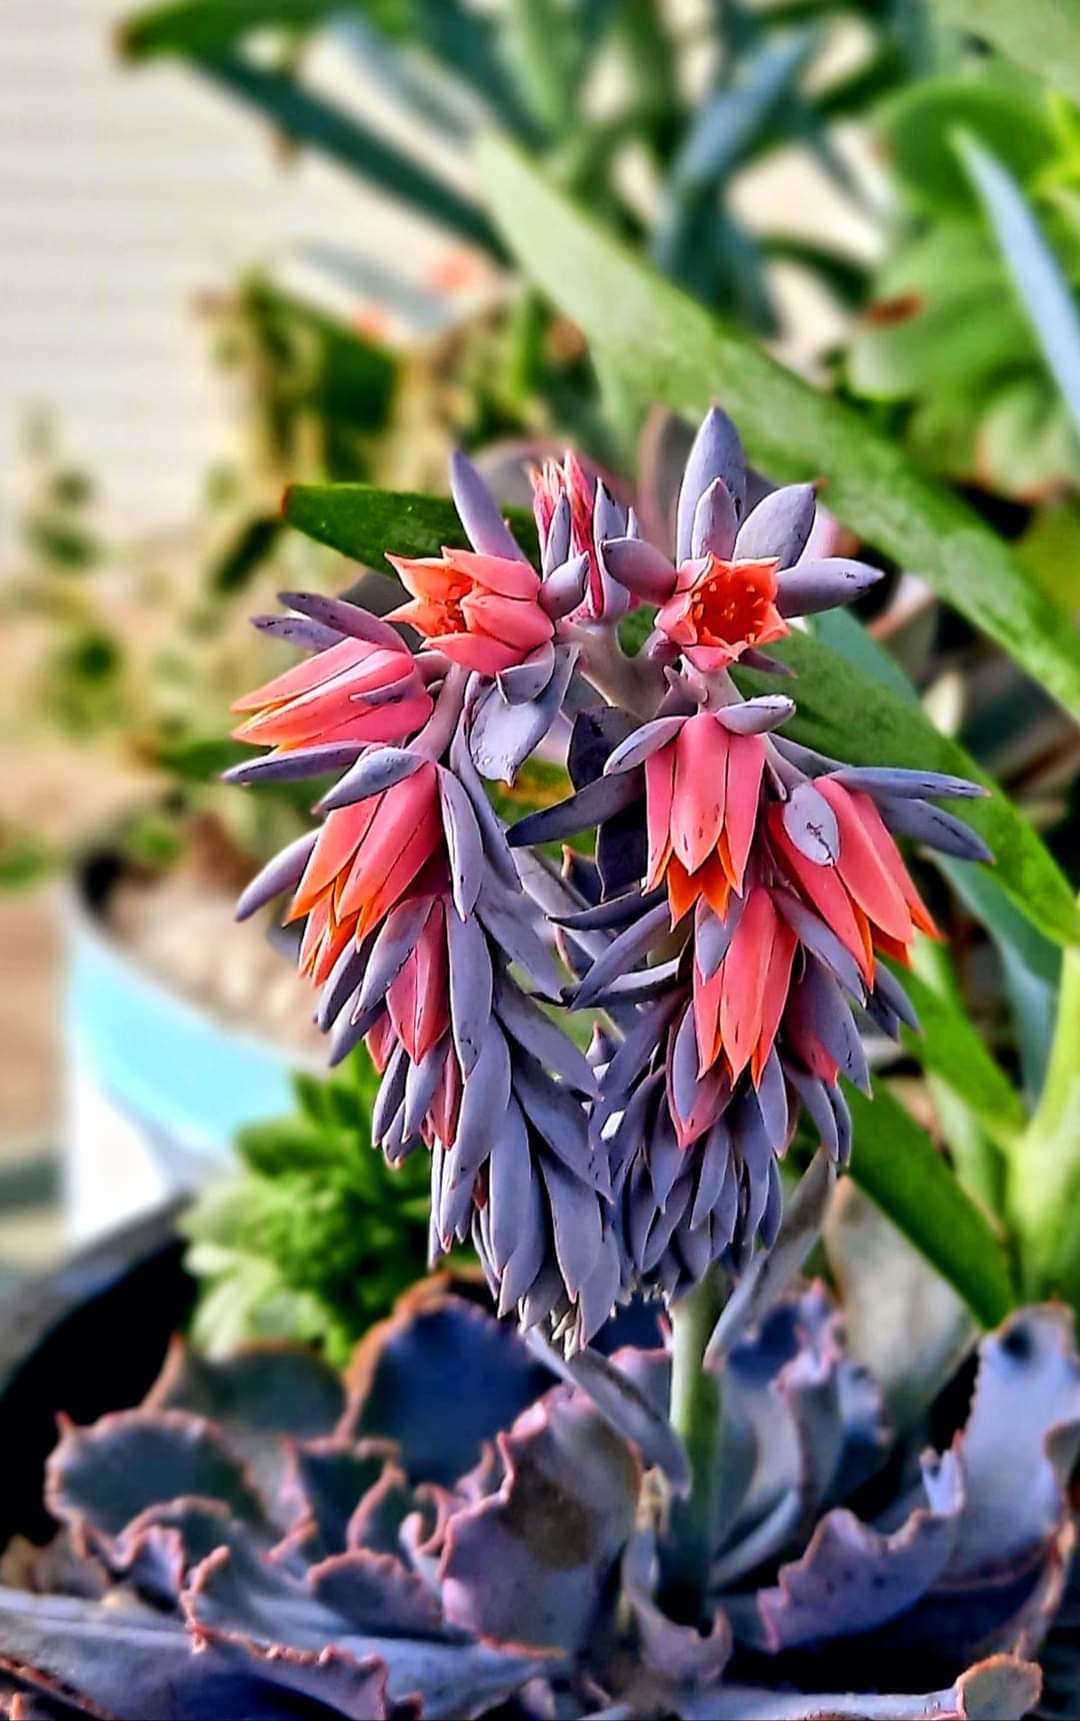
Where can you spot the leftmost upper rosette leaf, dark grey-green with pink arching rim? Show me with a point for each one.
(106, 1476)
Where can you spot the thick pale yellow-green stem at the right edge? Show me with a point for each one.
(1045, 1175)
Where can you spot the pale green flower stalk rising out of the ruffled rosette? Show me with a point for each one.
(697, 1417)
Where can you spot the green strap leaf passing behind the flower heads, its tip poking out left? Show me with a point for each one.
(842, 710)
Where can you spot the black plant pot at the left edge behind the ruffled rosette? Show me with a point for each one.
(83, 1340)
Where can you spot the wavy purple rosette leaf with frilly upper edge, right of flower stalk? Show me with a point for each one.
(854, 1579)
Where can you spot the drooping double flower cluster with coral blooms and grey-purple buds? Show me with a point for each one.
(730, 927)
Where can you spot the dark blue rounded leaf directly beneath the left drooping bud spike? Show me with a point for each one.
(443, 1378)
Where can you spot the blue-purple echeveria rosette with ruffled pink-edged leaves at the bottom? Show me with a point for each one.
(463, 1536)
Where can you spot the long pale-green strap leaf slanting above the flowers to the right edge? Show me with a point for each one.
(675, 352)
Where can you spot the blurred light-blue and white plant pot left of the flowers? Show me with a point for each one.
(157, 1085)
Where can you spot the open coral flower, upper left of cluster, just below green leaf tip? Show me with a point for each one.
(481, 612)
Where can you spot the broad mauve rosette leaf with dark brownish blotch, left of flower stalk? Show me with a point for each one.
(532, 1564)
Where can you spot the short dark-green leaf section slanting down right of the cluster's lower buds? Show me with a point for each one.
(911, 1181)
